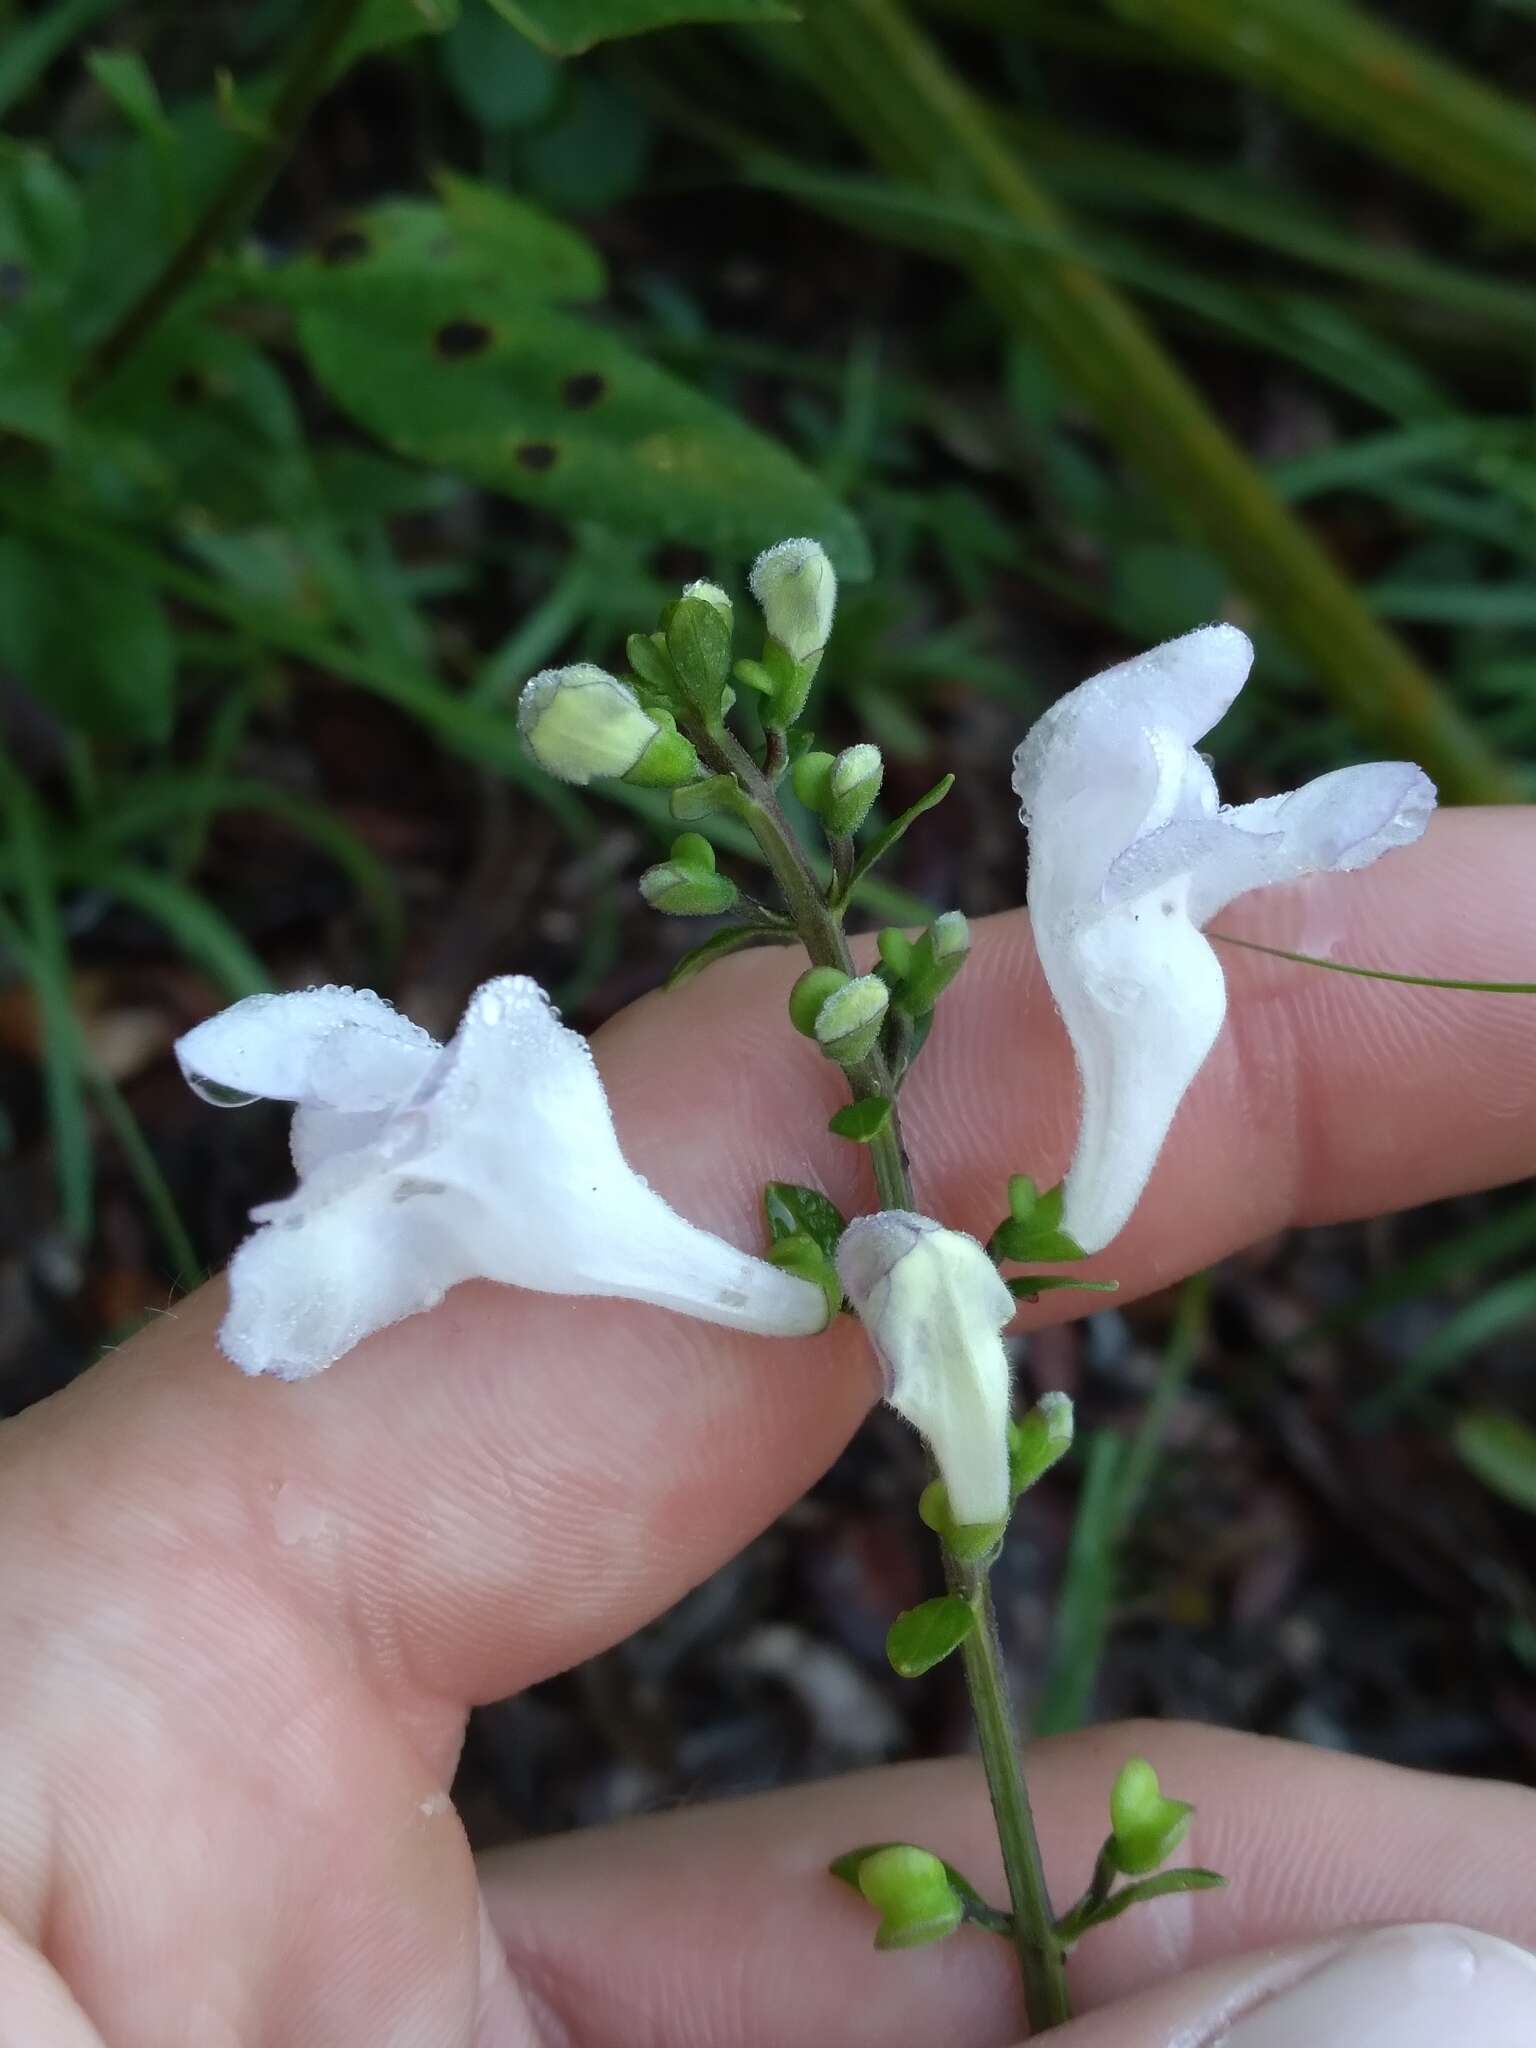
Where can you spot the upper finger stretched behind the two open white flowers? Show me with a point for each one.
(488, 1494)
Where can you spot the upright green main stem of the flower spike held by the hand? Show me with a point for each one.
(1033, 1928)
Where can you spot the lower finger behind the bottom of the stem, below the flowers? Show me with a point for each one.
(722, 1924)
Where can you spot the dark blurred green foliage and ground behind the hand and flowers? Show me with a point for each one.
(361, 357)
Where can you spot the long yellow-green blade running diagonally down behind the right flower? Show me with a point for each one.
(898, 95)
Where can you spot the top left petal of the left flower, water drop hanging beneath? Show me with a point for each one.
(341, 1050)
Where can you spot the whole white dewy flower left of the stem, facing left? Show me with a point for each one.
(423, 1166)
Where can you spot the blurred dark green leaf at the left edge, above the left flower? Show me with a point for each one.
(87, 640)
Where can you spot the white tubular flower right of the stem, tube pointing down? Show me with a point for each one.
(1129, 855)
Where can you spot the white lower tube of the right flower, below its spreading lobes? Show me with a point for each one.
(1144, 998)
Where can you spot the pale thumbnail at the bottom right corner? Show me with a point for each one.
(1404, 1988)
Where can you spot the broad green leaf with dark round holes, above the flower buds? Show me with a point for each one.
(564, 417)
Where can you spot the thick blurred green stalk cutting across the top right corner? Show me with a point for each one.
(1381, 91)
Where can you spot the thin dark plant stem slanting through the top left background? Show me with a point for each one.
(243, 191)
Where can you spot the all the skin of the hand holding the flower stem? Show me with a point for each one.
(243, 1623)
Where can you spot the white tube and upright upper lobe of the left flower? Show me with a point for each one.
(517, 1117)
